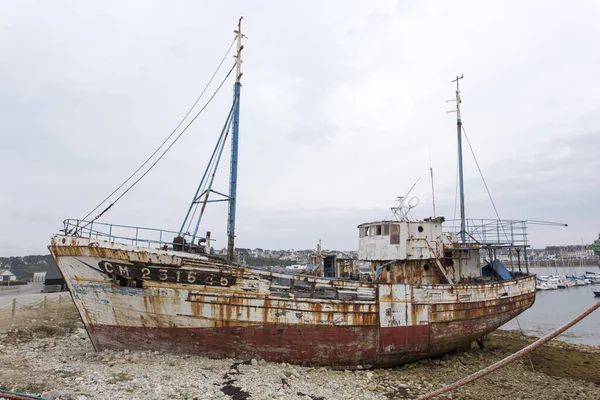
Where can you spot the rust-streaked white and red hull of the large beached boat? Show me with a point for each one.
(138, 298)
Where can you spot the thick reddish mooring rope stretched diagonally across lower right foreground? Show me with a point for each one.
(512, 357)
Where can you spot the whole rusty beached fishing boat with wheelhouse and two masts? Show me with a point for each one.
(138, 288)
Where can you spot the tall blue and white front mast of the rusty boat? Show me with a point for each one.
(234, 146)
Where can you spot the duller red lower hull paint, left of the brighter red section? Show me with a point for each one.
(320, 345)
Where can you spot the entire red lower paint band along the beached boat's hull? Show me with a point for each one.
(334, 346)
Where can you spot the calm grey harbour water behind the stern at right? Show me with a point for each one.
(554, 308)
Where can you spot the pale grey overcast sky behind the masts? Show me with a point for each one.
(343, 108)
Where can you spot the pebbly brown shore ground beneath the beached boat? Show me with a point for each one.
(54, 358)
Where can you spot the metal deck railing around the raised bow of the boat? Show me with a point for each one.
(131, 235)
